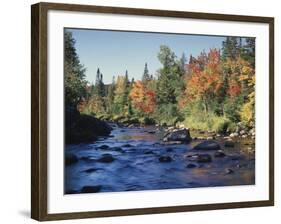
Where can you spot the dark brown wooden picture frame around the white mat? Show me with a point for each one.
(39, 109)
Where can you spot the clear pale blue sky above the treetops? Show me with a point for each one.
(114, 52)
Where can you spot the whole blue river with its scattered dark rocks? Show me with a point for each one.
(140, 158)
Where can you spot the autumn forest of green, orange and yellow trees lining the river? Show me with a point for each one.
(213, 91)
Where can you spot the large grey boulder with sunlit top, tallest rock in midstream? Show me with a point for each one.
(178, 135)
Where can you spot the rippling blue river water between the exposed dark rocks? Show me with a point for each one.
(136, 166)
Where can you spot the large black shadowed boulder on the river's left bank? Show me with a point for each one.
(80, 128)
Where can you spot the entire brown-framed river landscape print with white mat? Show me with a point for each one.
(140, 111)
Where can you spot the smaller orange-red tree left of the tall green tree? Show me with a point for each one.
(143, 100)
